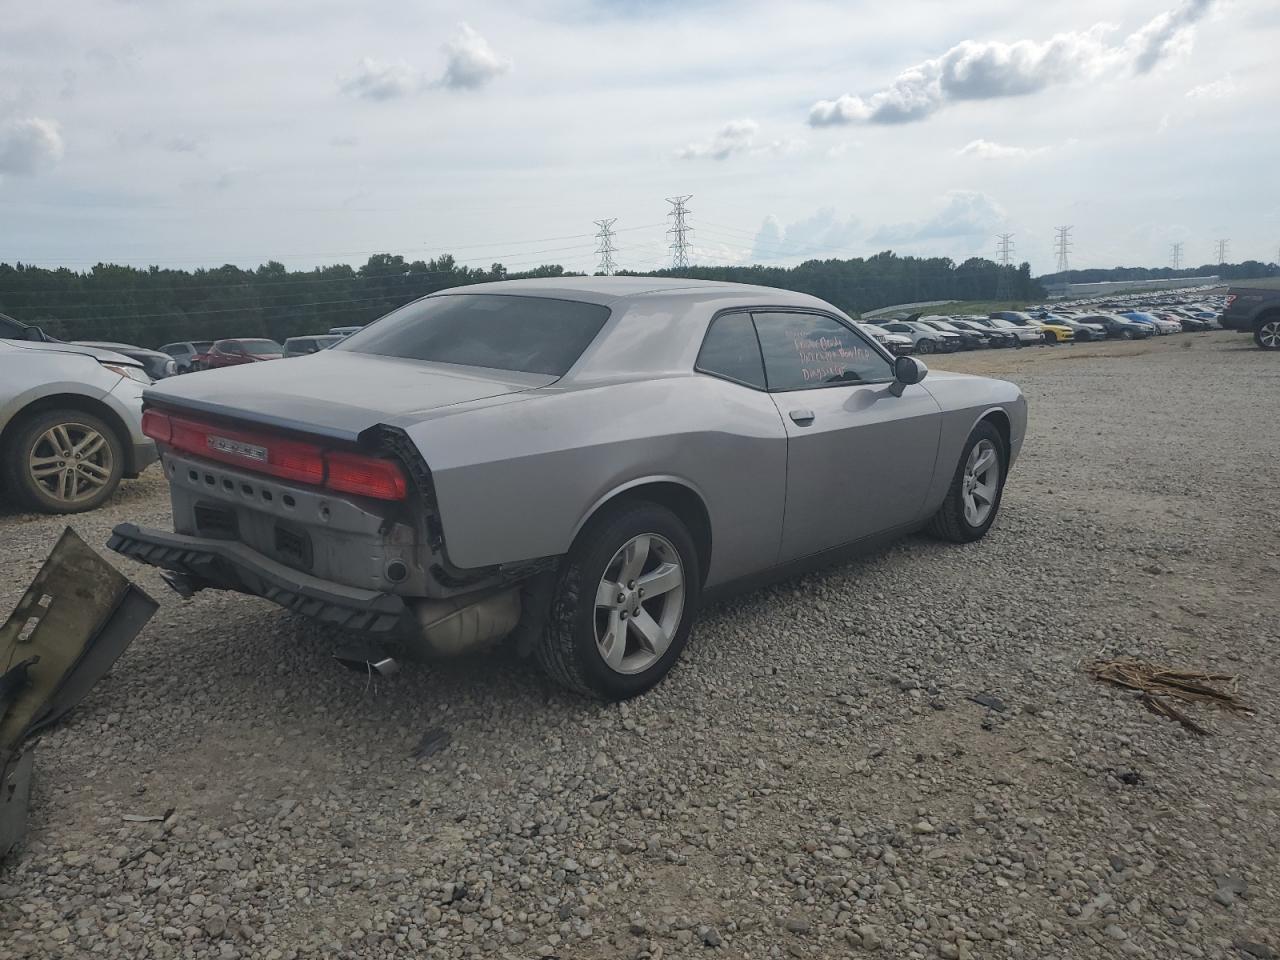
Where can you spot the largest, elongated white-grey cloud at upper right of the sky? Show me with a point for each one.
(989, 70)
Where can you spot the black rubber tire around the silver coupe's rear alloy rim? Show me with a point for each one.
(568, 650)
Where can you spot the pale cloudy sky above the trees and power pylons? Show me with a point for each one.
(184, 134)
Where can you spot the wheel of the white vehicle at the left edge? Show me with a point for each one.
(63, 461)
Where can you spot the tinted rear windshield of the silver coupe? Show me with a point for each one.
(528, 335)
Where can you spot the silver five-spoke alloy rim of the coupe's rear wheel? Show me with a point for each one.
(639, 604)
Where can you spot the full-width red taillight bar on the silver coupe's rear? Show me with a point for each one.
(278, 456)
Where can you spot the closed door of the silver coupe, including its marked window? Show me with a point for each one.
(860, 460)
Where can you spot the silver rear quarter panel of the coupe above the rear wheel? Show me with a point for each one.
(518, 481)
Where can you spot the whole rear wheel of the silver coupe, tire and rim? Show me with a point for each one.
(625, 602)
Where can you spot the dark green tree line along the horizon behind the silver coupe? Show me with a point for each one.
(150, 307)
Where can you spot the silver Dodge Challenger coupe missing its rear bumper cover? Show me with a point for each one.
(574, 465)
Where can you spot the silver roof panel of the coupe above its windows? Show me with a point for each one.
(607, 291)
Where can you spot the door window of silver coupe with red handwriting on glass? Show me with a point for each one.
(804, 350)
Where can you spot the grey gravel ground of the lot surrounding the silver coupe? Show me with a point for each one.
(811, 781)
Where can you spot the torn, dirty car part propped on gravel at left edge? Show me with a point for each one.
(72, 624)
